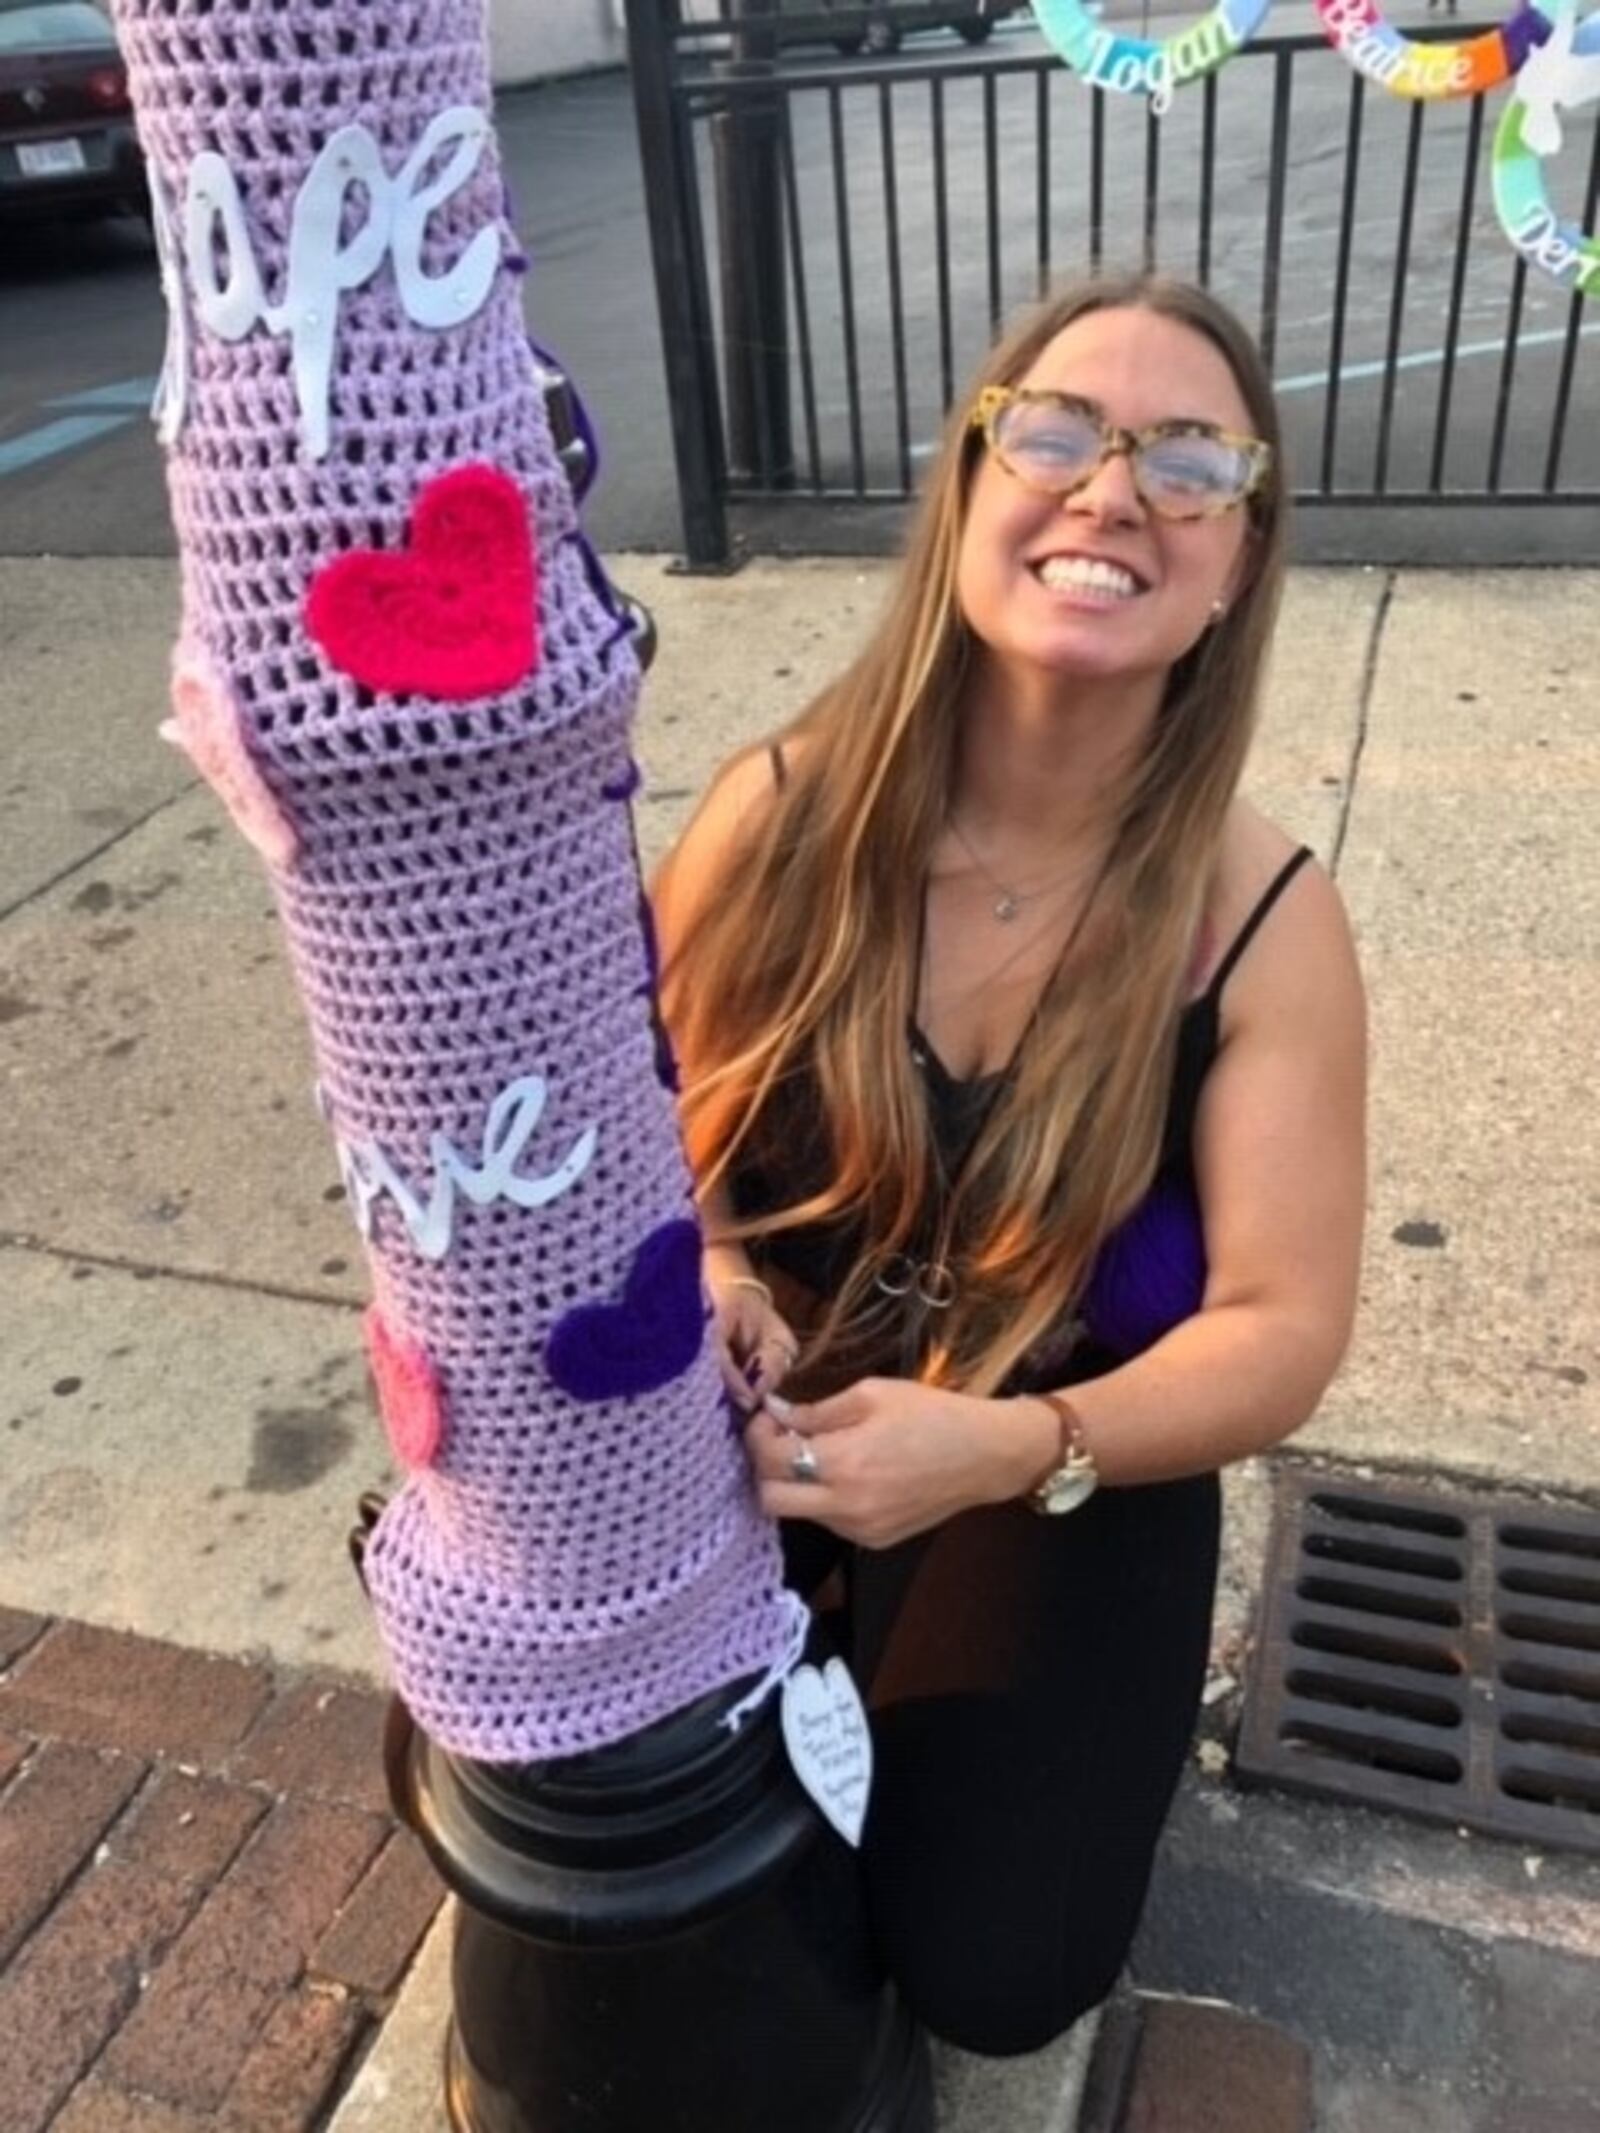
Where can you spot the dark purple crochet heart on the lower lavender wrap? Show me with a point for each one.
(652, 1336)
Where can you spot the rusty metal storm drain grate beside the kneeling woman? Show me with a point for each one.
(1433, 1654)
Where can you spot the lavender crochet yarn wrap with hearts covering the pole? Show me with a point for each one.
(404, 673)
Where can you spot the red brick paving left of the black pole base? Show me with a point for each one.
(206, 1904)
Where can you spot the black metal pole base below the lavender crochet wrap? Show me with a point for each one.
(660, 1938)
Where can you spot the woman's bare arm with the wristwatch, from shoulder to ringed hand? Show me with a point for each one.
(1281, 1166)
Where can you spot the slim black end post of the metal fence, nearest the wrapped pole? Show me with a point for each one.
(684, 306)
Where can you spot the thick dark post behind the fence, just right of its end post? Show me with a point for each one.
(748, 138)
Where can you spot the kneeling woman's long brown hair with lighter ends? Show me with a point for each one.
(805, 955)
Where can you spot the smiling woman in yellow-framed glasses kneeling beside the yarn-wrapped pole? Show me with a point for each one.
(1025, 1089)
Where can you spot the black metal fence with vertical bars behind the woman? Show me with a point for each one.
(839, 240)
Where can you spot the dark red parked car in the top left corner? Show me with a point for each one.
(67, 138)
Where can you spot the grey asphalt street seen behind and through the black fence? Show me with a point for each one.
(82, 317)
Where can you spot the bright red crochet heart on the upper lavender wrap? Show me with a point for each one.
(451, 618)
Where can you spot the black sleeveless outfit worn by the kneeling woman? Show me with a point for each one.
(1034, 1682)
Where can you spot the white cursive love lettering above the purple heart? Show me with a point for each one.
(370, 1176)
